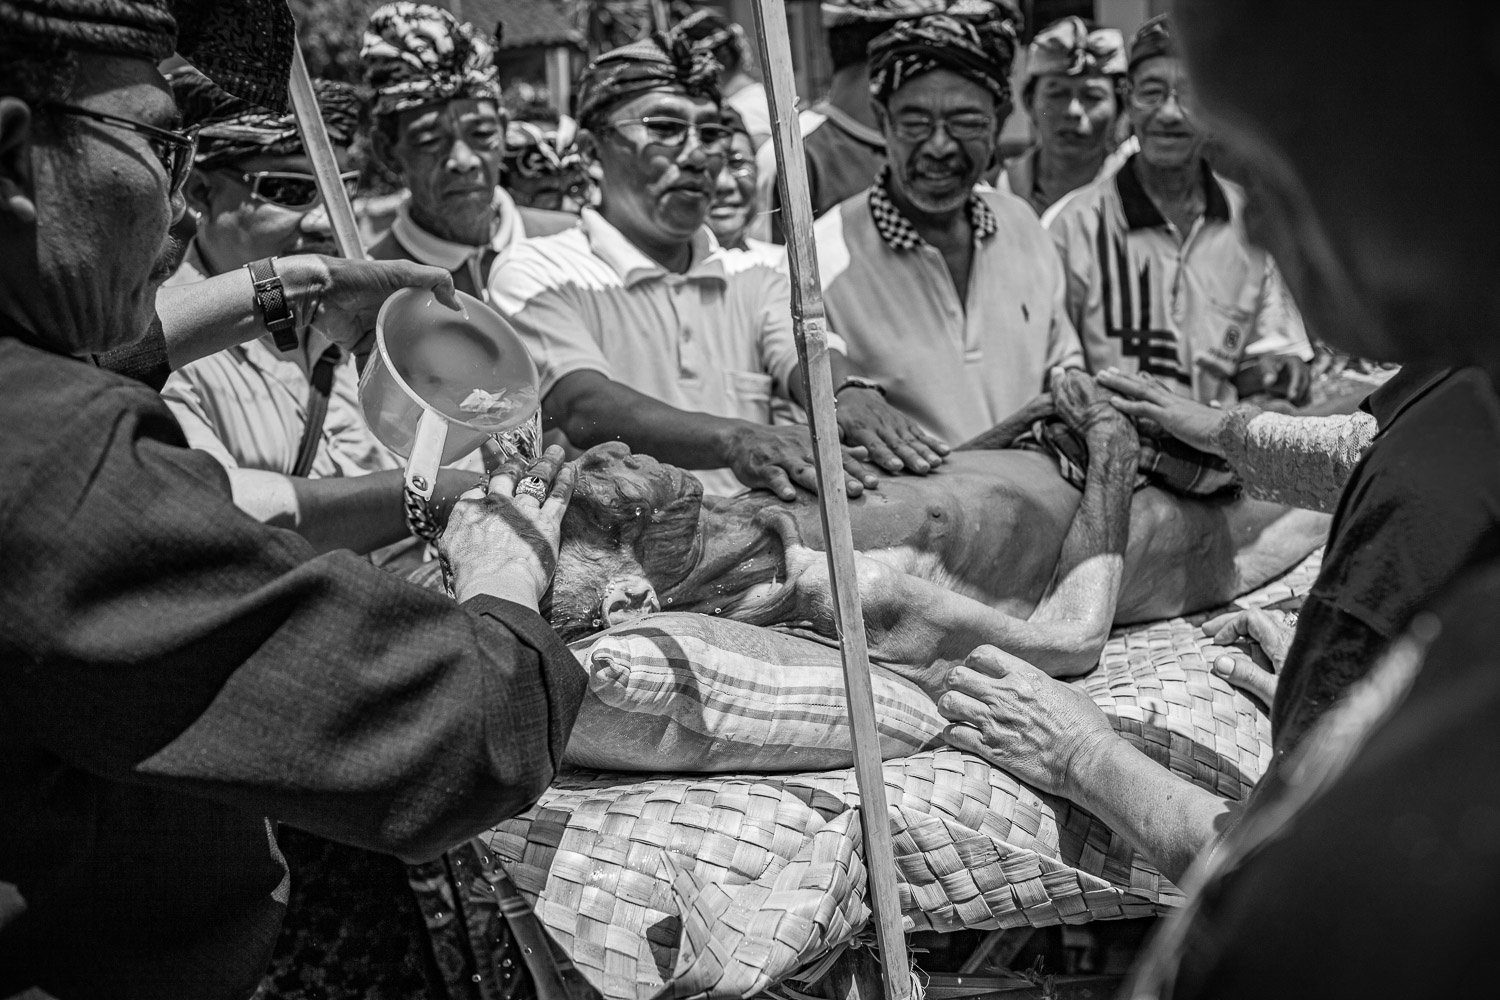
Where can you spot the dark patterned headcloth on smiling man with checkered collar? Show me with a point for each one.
(973, 38)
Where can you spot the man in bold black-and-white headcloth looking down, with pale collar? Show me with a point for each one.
(440, 128)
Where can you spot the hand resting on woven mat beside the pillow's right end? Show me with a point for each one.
(1024, 722)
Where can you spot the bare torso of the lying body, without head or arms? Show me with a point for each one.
(992, 525)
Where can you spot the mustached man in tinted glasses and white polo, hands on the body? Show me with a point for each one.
(646, 331)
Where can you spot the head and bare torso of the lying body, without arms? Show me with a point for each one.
(641, 537)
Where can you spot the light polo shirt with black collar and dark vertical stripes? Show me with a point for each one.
(1184, 308)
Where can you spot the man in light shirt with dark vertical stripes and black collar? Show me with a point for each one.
(1160, 277)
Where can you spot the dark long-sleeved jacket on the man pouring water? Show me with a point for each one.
(173, 672)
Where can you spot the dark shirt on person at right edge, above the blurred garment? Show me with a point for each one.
(1421, 507)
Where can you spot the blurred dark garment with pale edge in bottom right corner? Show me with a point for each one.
(1375, 872)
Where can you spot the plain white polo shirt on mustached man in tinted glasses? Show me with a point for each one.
(716, 340)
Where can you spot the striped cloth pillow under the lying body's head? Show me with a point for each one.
(682, 692)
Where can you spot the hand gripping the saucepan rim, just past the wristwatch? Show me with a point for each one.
(343, 298)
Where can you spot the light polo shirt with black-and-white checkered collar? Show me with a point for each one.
(956, 367)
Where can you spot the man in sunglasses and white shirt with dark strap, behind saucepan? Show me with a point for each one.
(283, 407)
